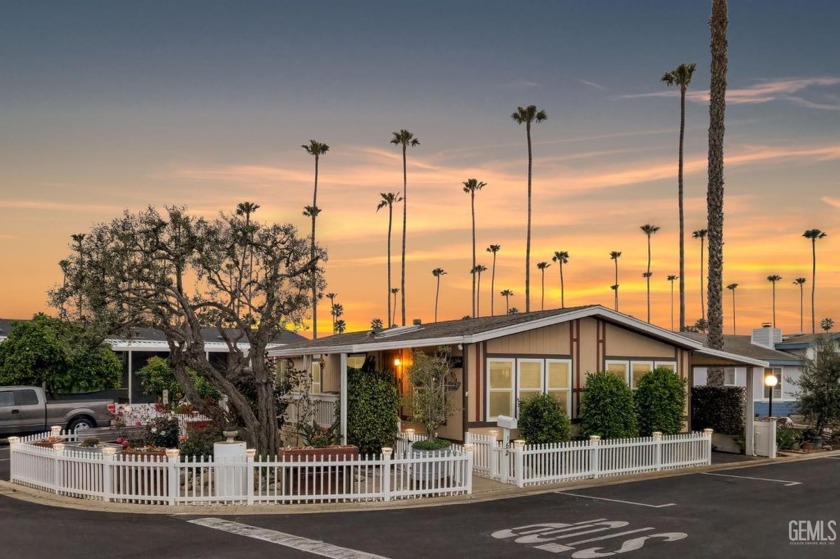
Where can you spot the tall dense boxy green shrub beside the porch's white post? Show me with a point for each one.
(372, 406)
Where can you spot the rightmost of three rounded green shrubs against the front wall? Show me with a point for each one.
(660, 402)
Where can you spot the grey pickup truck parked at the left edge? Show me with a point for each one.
(25, 409)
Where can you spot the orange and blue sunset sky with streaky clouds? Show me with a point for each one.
(107, 106)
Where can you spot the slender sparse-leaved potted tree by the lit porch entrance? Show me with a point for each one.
(430, 401)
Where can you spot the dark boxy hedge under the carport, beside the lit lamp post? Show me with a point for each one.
(718, 407)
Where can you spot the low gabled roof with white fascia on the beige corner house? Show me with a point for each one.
(473, 330)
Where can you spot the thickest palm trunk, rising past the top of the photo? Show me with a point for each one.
(718, 23)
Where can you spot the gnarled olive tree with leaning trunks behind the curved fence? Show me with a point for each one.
(178, 273)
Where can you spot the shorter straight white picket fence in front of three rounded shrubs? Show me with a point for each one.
(523, 465)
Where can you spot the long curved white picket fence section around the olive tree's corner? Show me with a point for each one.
(54, 462)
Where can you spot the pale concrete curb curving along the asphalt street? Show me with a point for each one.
(37, 496)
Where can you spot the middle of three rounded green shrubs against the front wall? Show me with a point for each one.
(607, 407)
